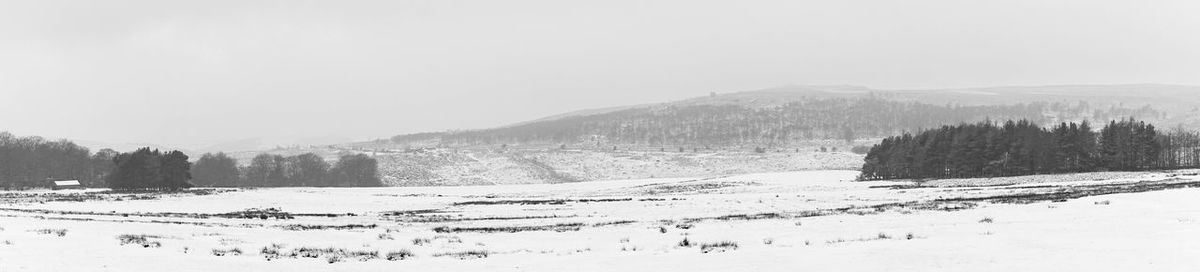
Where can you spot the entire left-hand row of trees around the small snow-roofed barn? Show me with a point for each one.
(29, 162)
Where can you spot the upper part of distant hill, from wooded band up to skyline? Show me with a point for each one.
(779, 117)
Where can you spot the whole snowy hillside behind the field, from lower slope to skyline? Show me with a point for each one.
(722, 134)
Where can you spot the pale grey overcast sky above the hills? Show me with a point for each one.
(201, 72)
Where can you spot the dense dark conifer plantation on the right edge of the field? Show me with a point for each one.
(1024, 148)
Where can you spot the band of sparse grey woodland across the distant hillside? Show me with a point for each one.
(759, 126)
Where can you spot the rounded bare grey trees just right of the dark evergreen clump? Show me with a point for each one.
(275, 171)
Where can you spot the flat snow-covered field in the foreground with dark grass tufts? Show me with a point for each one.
(809, 221)
